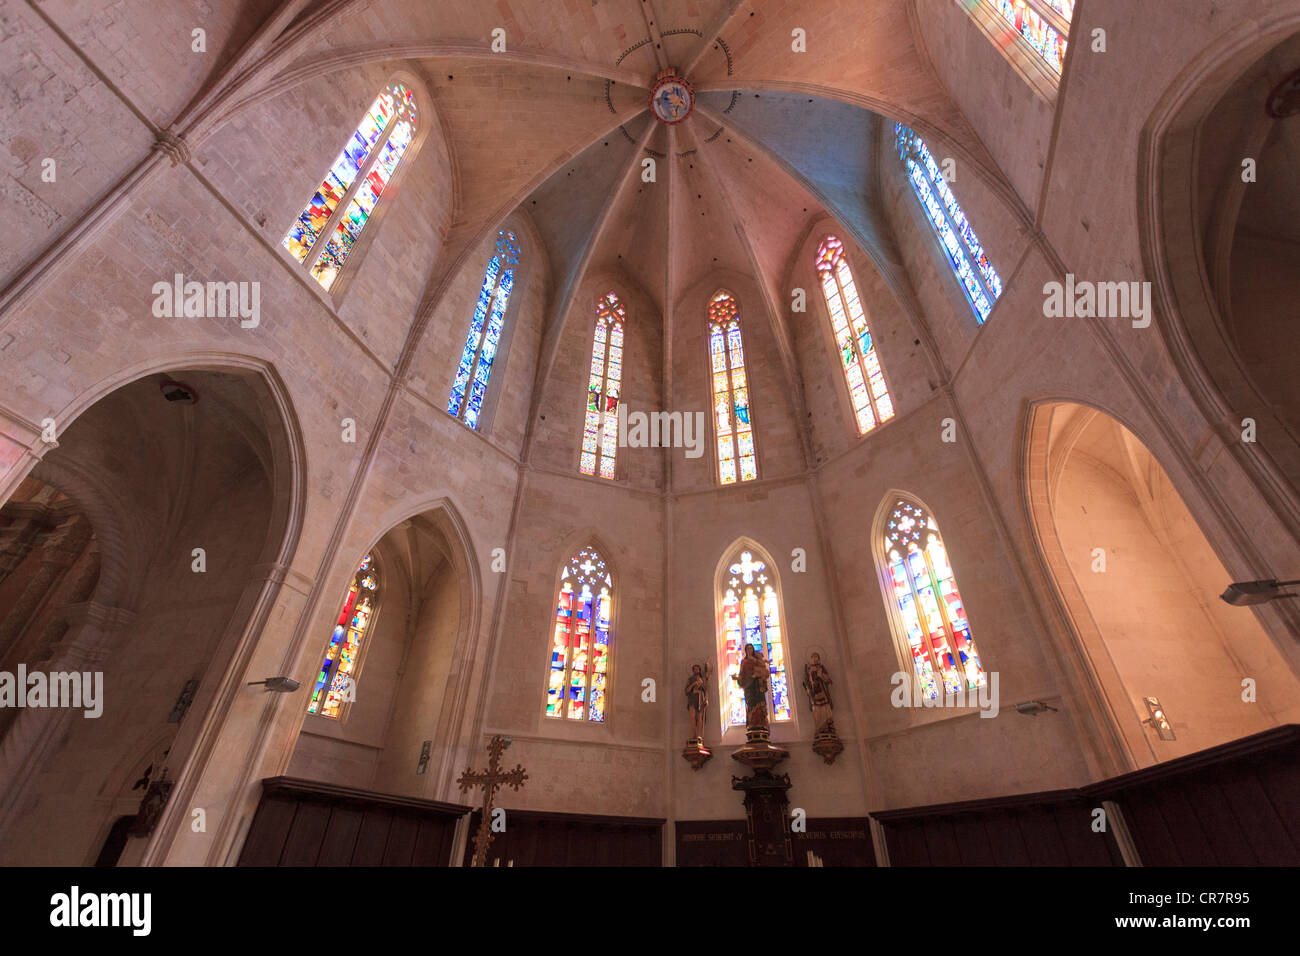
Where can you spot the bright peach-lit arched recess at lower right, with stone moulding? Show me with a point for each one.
(1133, 492)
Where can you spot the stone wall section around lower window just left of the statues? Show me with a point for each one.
(613, 768)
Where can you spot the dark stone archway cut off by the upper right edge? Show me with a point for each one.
(1223, 291)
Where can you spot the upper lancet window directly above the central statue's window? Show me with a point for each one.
(731, 393)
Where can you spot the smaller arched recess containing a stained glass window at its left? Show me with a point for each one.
(396, 730)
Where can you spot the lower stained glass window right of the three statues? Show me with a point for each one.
(925, 589)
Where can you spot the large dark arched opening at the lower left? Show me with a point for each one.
(151, 529)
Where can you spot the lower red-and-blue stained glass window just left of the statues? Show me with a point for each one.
(580, 644)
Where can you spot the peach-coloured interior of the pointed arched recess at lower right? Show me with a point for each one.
(1141, 583)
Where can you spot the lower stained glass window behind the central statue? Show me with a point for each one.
(751, 611)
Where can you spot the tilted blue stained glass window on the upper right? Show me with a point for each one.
(974, 271)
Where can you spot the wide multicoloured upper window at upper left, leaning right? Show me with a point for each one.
(333, 219)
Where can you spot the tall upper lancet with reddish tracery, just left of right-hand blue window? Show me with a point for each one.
(863, 371)
